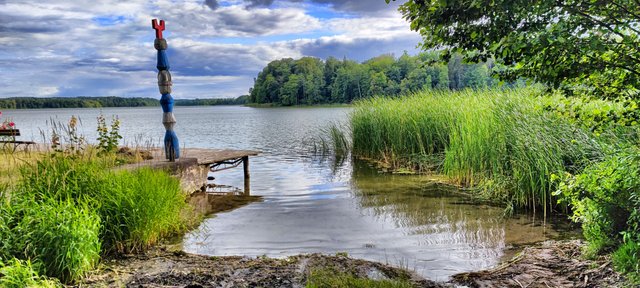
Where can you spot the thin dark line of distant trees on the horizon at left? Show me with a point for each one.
(98, 102)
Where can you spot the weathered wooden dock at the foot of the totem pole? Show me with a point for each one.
(194, 165)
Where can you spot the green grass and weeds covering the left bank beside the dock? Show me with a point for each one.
(66, 209)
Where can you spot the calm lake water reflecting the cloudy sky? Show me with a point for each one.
(313, 204)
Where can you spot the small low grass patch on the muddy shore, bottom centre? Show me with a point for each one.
(326, 278)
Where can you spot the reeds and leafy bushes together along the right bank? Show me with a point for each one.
(522, 148)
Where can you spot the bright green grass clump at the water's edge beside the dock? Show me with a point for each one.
(143, 207)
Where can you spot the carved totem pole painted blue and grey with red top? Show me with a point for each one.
(171, 144)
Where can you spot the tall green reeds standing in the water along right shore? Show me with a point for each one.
(501, 139)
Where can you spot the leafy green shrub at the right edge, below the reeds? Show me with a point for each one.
(603, 199)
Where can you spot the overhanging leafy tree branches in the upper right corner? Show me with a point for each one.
(565, 43)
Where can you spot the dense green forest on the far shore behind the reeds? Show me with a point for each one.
(309, 80)
